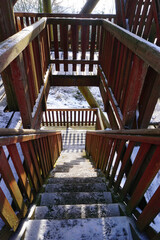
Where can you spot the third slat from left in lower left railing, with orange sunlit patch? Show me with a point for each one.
(13, 152)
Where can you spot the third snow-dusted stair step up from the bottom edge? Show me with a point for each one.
(50, 199)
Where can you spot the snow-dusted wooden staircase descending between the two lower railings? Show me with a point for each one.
(75, 203)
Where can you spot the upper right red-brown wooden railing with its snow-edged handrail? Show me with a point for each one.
(130, 77)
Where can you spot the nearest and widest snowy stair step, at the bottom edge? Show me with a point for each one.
(80, 229)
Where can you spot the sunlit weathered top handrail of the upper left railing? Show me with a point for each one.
(14, 45)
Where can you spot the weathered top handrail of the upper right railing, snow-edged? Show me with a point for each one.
(149, 52)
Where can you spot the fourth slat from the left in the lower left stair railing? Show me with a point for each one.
(29, 165)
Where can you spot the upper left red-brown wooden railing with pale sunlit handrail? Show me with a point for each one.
(27, 54)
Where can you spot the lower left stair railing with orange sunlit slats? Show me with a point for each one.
(26, 158)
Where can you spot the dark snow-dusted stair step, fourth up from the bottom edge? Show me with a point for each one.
(83, 187)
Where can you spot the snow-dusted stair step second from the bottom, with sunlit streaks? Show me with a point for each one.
(77, 211)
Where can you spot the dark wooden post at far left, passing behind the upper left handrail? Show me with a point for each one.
(8, 28)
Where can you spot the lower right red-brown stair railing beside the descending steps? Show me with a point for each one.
(130, 161)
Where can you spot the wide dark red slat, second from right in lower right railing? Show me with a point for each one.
(146, 179)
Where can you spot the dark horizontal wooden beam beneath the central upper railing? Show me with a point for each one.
(71, 80)
